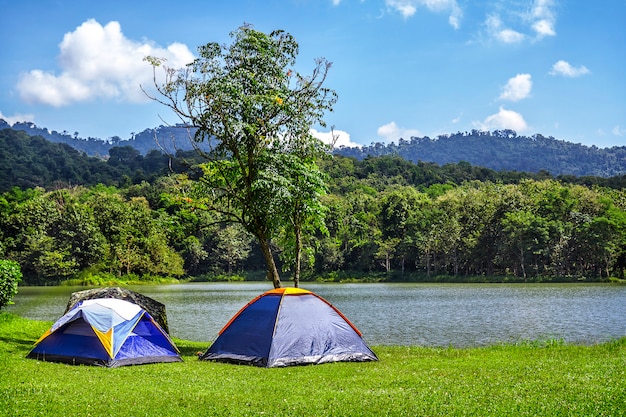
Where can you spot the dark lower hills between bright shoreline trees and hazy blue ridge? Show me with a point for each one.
(32, 161)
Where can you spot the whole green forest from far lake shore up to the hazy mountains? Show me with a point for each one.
(87, 220)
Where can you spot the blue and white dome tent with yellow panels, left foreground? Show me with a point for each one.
(107, 332)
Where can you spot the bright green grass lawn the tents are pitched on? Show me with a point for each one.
(528, 379)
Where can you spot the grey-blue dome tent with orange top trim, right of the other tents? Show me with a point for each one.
(289, 326)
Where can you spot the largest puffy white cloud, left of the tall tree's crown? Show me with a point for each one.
(98, 62)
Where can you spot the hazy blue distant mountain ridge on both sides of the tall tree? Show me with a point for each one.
(500, 150)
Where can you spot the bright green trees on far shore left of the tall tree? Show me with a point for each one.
(59, 235)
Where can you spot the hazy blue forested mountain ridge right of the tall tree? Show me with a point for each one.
(504, 150)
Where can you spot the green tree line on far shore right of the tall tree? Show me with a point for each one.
(533, 229)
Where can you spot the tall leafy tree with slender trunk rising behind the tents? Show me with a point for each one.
(246, 104)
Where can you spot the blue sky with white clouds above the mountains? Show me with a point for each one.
(401, 68)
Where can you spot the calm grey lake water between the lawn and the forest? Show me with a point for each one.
(458, 315)
